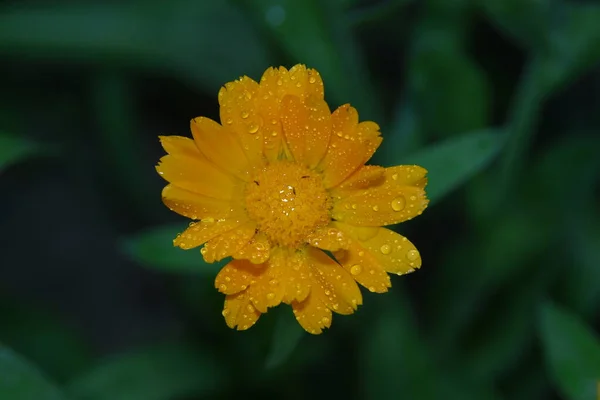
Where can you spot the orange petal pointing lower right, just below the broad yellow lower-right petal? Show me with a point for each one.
(364, 267)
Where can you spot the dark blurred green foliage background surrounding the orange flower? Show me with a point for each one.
(498, 99)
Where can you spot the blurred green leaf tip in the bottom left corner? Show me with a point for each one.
(20, 380)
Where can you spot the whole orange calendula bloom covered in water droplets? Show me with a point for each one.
(281, 187)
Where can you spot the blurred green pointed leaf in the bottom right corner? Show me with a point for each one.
(572, 353)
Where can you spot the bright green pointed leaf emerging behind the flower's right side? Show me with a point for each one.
(452, 162)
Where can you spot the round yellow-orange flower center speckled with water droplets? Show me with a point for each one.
(288, 202)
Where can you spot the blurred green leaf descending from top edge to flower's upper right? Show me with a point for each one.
(319, 34)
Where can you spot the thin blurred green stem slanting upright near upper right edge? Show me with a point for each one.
(522, 121)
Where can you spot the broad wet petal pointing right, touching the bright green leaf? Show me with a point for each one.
(399, 198)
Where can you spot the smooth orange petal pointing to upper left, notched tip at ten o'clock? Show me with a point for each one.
(220, 146)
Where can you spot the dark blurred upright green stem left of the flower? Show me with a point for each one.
(113, 104)
